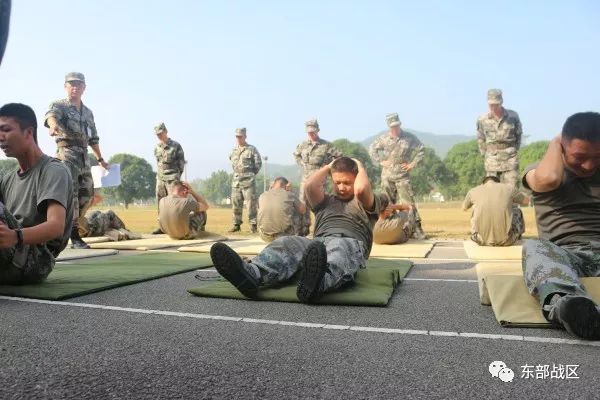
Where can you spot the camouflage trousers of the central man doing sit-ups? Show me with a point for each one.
(280, 260)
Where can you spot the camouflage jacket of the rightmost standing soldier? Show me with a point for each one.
(499, 140)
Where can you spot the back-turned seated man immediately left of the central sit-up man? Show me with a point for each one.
(279, 211)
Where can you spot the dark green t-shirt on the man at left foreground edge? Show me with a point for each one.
(26, 196)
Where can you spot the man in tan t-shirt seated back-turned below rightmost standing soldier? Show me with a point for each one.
(497, 219)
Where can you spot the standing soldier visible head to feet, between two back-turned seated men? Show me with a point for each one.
(246, 162)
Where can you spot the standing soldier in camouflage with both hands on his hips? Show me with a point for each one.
(398, 152)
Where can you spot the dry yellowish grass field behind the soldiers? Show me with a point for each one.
(440, 220)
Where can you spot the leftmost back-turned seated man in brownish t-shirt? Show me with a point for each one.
(182, 214)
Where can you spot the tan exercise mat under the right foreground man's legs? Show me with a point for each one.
(514, 306)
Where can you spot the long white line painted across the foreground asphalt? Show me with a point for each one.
(311, 325)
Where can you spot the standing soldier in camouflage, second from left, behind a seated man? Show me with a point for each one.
(170, 162)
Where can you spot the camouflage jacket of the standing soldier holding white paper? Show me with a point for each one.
(77, 127)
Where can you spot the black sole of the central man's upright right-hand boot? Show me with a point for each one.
(314, 265)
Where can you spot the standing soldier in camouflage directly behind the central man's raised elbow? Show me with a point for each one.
(311, 155)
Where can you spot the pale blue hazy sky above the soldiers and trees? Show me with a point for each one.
(207, 67)
